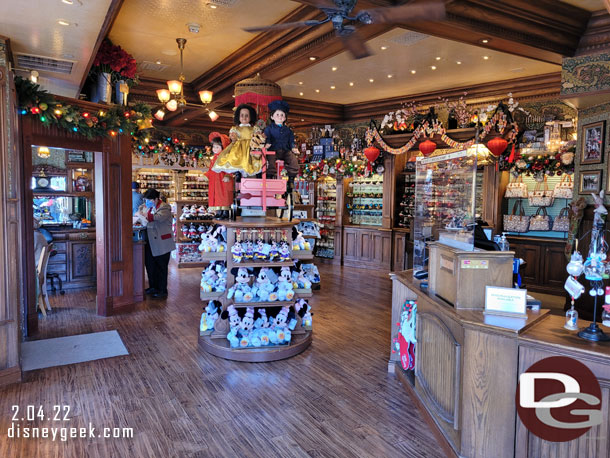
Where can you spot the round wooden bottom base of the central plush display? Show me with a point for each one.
(222, 348)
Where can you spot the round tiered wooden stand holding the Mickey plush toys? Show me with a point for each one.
(215, 342)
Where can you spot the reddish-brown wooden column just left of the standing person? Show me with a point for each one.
(114, 248)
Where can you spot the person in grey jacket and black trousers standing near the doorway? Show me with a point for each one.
(157, 216)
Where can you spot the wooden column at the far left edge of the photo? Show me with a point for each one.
(11, 230)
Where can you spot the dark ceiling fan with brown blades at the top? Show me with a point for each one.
(338, 12)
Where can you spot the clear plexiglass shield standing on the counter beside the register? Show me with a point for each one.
(445, 198)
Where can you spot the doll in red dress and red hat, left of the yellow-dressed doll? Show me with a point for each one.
(220, 184)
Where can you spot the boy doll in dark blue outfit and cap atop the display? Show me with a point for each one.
(280, 139)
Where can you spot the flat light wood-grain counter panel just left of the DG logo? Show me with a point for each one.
(488, 397)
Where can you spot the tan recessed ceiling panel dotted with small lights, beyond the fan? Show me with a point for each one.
(407, 63)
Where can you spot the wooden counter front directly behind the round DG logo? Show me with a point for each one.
(593, 444)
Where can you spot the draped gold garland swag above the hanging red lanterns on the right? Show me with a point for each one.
(372, 134)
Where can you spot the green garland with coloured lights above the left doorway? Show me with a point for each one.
(112, 121)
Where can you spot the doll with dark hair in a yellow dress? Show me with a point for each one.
(237, 157)
